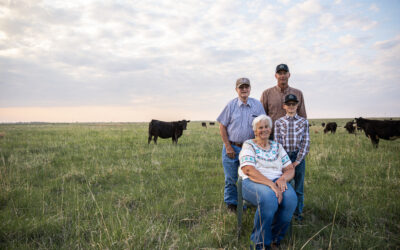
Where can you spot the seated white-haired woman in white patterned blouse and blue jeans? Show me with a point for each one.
(266, 170)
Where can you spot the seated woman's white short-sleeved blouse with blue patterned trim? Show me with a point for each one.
(268, 162)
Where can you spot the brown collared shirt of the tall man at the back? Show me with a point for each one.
(273, 98)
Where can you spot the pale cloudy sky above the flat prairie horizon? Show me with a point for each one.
(133, 61)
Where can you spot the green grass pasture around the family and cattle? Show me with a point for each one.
(100, 186)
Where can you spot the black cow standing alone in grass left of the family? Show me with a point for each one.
(166, 130)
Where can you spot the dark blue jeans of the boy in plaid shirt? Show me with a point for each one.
(298, 182)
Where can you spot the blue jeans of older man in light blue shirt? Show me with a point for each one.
(231, 175)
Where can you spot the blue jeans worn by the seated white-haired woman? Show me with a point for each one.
(271, 219)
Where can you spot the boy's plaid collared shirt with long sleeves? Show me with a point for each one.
(293, 134)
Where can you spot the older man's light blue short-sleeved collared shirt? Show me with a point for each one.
(237, 117)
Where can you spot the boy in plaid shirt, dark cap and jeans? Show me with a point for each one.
(292, 132)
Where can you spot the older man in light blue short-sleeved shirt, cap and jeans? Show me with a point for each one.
(235, 128)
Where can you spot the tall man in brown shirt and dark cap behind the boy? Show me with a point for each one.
(272, 99)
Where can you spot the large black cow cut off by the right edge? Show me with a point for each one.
(375, 129)
